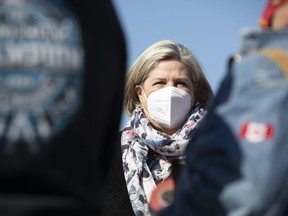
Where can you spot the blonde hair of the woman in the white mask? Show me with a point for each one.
(150, 58)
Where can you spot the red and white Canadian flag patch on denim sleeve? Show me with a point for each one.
(256, 132)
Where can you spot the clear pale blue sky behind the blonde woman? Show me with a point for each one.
(210, 29)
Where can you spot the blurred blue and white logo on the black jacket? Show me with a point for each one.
(41, 63)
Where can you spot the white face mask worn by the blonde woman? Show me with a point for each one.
(168, 106)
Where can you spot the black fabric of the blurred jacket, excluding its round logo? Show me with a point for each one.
(65, 176)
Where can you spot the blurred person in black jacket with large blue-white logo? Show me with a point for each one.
(62, 69)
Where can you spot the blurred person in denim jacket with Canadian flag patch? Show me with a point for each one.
(240, 166)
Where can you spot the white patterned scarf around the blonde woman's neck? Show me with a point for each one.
(137, 138)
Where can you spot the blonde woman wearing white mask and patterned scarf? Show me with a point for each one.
(166, 96)
